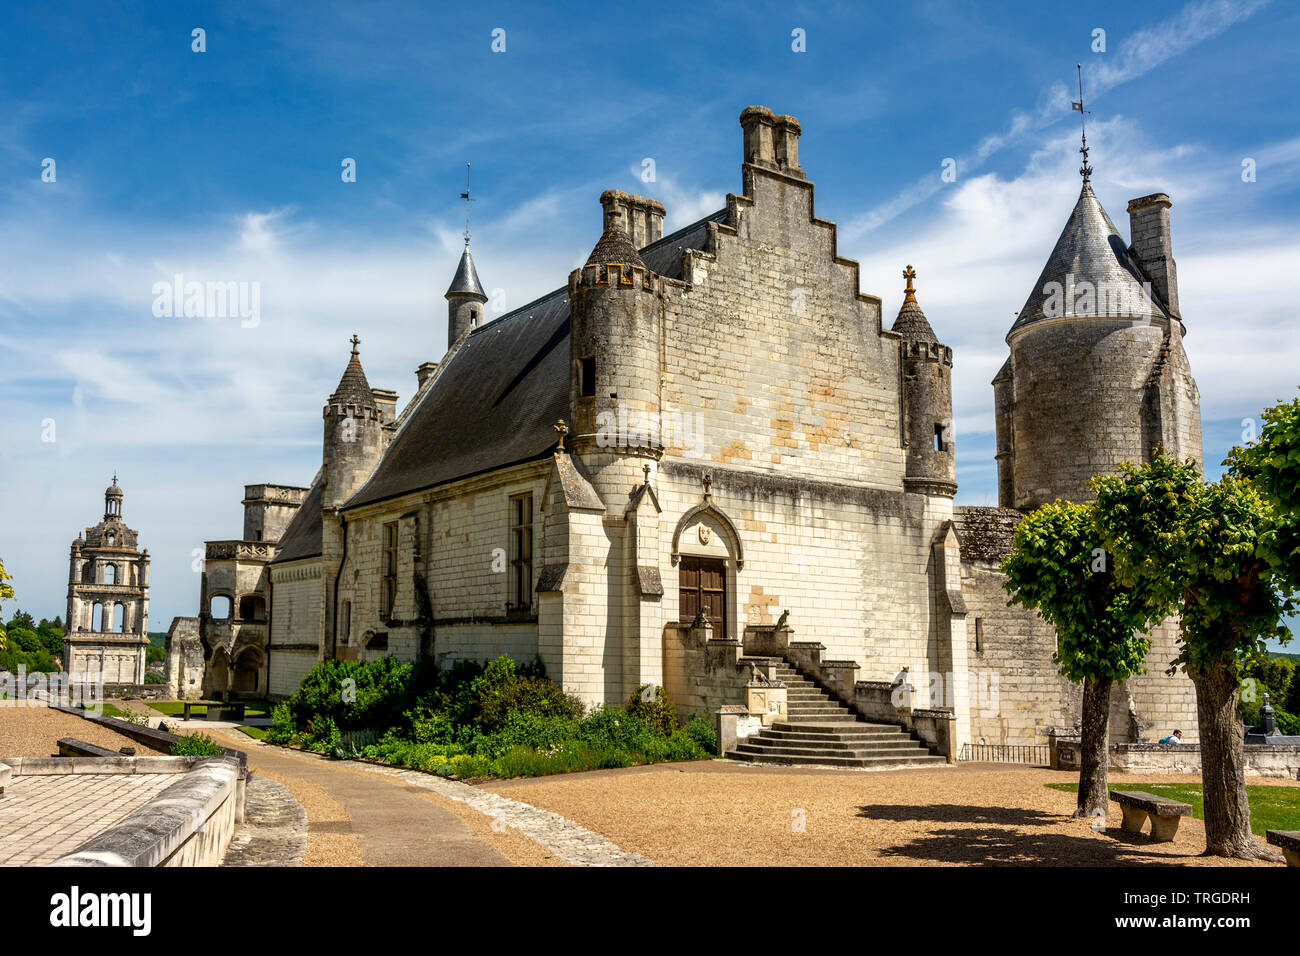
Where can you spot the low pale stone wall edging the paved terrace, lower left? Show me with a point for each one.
(190, 824)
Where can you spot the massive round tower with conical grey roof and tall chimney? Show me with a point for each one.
(1098, 374)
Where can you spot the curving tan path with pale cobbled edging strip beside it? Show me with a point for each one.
(395, 827)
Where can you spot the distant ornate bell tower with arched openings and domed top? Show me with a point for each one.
(109, 602)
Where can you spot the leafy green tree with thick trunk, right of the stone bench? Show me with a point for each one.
(1198, 550)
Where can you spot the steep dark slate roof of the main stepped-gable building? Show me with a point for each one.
(497, 399)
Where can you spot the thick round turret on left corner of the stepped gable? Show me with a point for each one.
(614, 345)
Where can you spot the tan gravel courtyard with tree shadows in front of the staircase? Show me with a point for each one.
(726, 815)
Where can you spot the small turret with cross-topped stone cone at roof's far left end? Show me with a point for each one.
(354, 434)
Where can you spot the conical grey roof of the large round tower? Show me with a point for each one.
(1090, 249)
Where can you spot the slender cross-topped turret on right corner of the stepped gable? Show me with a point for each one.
(928, 401)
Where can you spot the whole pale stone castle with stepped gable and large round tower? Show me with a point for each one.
(708, 451)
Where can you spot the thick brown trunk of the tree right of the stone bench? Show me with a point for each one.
(1228, 814)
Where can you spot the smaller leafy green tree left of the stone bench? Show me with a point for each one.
(1059, 569)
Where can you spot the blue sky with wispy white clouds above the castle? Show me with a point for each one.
(226, 166)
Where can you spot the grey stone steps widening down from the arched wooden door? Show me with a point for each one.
(824, 732)
